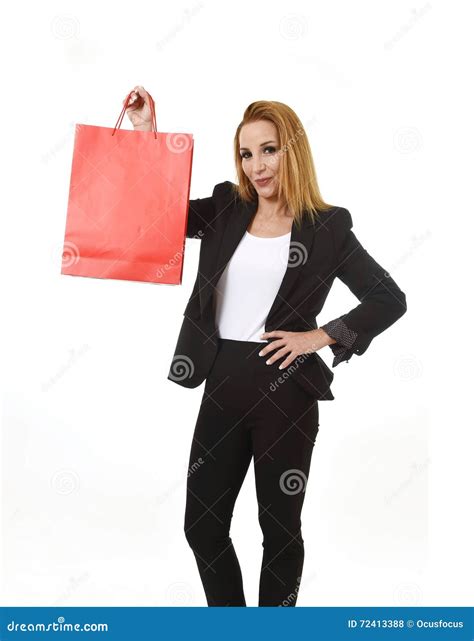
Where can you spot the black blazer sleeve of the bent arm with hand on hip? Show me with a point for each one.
(381, 301)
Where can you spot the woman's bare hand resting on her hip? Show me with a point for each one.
(292, 344)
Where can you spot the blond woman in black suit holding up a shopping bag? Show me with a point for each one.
(270, 251)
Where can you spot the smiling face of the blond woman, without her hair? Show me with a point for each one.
(259, 147)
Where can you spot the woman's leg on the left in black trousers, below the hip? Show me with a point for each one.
(219, 460)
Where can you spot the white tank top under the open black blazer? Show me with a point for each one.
(248, 286)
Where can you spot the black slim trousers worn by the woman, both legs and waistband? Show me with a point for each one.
(250, 409)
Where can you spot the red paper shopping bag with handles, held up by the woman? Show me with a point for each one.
(128, 203)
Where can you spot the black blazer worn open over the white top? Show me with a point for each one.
(319, 252)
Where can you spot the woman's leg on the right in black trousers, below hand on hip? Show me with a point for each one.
(283, 441)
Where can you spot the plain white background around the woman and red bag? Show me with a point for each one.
(96, 438)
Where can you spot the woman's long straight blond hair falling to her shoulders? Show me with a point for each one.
(297, 181)
